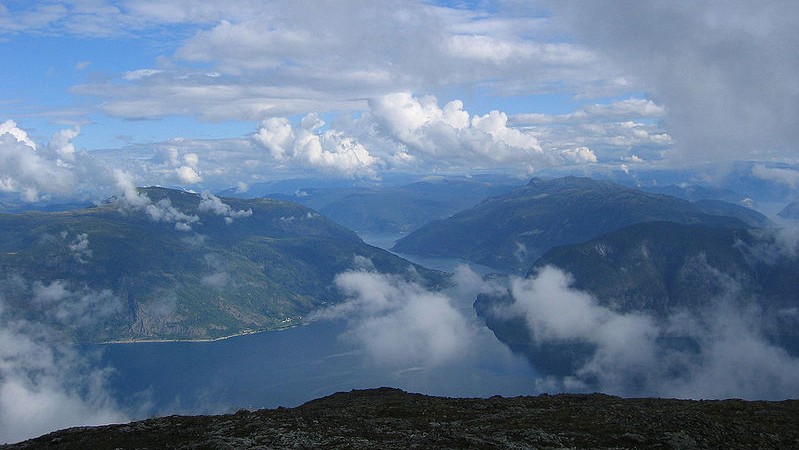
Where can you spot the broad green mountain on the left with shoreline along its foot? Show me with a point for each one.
(177, 265)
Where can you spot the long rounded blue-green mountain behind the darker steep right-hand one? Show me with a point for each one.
(512, 231)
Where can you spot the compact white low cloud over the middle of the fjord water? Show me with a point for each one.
(399, 323)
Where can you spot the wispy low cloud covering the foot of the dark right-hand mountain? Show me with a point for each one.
(629, 353)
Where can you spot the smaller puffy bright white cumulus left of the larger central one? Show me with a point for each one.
(307, 145)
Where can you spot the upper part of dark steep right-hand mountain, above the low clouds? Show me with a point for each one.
(661, 267)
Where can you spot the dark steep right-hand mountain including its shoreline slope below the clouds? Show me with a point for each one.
(662, 270)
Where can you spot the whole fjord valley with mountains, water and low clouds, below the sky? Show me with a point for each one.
(173, 286)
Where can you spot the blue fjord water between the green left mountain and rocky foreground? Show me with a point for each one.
(292, 366)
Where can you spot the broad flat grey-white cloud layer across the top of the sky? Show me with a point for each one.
(292, 58)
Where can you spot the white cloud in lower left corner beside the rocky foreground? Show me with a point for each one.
(46, 385)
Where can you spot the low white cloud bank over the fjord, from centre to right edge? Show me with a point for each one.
(720, 351)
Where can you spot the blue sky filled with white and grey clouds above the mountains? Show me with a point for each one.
(208, 96)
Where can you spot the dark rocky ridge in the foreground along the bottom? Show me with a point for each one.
(389, 418)
